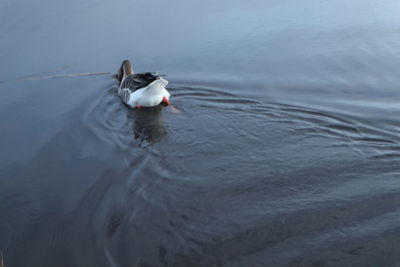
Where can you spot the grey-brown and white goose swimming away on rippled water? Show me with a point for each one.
(139, 90)
